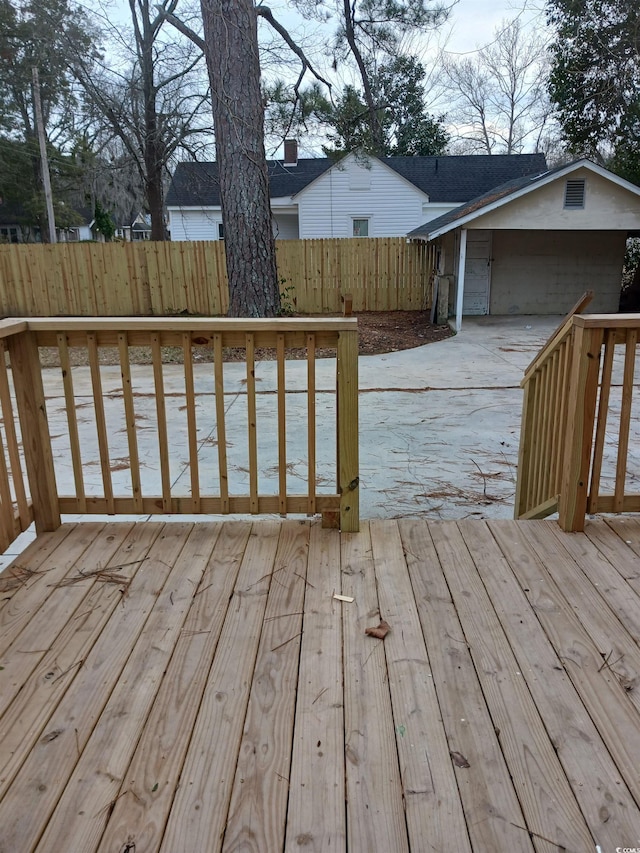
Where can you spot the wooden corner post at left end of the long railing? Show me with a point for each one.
(36, 440)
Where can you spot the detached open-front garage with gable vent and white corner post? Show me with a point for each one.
(533, 245)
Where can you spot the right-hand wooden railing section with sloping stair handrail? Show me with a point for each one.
(578, 412)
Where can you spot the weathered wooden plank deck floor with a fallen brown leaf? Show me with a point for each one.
(194, 688)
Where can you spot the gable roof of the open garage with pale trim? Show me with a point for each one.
(506, 193)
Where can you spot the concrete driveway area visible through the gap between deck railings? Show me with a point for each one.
(440, 425)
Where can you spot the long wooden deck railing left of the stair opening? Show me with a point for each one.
(143, 439)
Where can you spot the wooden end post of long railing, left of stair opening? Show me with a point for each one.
(347, 411)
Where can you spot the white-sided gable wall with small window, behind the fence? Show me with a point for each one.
(328, 206)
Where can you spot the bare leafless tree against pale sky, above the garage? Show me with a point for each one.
(499, 98)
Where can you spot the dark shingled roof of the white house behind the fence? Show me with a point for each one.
(443, 179)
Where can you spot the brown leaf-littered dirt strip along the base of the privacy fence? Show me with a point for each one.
(378, 332)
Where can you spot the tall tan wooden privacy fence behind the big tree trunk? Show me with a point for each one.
(156, 279)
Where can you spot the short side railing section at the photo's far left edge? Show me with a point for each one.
(16, 508)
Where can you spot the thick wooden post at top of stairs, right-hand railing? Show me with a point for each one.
(583, 392)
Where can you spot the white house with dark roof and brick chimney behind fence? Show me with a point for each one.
(359, 196)
